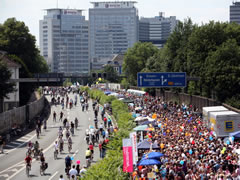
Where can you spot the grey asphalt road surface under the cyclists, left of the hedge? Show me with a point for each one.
(12, 164)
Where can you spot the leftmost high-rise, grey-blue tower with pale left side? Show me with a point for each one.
(64, 41)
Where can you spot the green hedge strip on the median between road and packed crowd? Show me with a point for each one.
(111, 166)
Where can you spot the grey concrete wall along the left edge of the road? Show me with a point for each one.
(18, 115)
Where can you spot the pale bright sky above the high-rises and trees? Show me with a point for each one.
(200, 11)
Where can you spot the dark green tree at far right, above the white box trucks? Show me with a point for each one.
(223, 70)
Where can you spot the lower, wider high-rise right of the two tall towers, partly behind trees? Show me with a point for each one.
(156, 29)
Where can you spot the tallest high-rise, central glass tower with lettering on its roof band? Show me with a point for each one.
(113, 28)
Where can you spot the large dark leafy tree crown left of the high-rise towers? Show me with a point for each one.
(16, 39)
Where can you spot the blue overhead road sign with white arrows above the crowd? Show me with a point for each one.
(165, 79)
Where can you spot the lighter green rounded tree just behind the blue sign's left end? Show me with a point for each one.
(135, 60)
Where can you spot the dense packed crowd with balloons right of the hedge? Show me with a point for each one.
(191, 149)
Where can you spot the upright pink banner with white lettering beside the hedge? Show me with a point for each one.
(127, 156)
